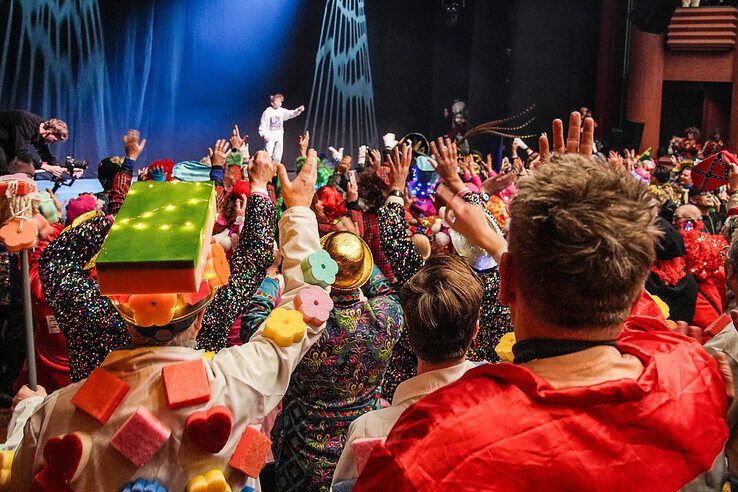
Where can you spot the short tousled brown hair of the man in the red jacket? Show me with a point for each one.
(582, 238)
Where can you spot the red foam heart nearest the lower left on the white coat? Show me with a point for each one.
(67, 455)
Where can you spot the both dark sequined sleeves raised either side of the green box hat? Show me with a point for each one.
(90, 323)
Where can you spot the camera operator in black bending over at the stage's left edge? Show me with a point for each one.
(28, 136)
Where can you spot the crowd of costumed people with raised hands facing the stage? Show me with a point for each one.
(610, 276)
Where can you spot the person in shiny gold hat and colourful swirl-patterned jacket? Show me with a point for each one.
(340, 377)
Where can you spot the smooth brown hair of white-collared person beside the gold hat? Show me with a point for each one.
(441, 304)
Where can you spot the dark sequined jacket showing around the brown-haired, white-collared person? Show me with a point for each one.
(494, 320)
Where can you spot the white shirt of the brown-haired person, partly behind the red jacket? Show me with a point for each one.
(379, 423)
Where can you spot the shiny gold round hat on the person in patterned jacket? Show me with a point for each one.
(353, 256)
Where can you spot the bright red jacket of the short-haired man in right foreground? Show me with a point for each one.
(501, 427)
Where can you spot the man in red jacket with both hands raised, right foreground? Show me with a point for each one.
(592, 401)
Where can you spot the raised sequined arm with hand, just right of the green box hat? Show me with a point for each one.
(249, 262)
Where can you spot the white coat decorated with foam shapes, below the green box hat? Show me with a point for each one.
(250, 380)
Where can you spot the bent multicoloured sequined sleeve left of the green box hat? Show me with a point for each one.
(90, 323)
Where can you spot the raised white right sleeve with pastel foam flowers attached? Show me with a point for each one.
(257, 373)
